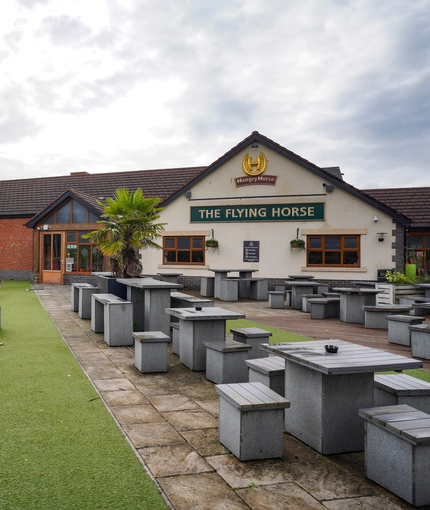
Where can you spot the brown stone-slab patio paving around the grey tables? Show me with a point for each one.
(171, 422)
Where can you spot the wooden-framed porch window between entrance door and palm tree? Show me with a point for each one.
(81, 255)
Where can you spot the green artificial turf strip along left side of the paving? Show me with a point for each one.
(60, 448)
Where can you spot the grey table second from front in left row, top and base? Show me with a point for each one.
(197, 327)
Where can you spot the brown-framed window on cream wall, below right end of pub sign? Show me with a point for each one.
(333, 251)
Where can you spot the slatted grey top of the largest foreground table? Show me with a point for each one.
(350, 358)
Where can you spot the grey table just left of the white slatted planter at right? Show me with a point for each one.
(352, 302)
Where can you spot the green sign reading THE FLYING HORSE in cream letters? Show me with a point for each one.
(273, 212)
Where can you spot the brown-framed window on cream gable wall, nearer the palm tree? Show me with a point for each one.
(184, 250)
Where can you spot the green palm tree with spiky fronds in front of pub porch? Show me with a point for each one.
(128, 224)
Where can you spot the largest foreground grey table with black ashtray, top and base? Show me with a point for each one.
(326, 390)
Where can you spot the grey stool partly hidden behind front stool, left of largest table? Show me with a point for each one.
(269, 371)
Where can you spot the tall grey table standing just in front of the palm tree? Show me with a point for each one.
(150, 298)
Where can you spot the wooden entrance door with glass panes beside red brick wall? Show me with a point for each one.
(52, 263)
